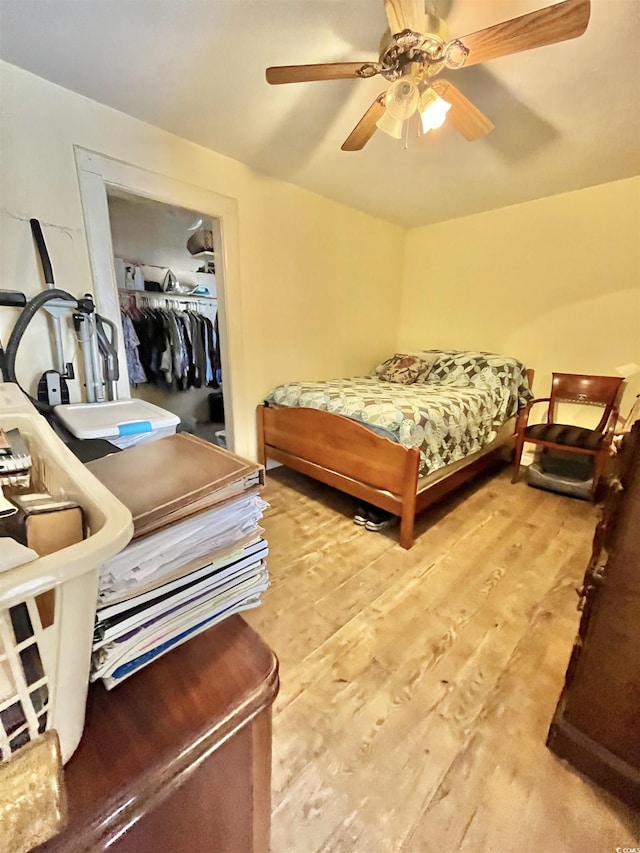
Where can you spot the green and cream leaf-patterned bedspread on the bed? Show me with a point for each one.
(456, 411)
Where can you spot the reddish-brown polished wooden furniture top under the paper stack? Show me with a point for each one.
(178, 757)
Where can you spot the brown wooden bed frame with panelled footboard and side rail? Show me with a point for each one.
(350, 457)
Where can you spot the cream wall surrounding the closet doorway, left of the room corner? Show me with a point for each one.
(320, 282)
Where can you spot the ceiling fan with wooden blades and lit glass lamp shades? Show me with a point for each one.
(416, 49)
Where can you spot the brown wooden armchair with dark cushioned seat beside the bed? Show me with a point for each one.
(578, 388)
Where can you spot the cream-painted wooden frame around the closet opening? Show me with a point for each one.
(96, 174)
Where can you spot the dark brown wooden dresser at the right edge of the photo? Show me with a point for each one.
(596, 726)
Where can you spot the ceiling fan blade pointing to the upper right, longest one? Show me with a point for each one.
(553, 24)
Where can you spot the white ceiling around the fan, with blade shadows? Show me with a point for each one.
(567, 116)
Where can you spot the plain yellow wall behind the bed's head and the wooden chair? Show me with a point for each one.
(555, 282)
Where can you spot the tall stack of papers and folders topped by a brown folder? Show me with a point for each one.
(197, 556)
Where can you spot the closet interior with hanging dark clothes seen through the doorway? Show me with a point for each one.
(164, 259)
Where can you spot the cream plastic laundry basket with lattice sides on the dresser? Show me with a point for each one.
(44, 660)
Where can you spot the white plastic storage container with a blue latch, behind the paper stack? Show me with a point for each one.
(122, 422)
